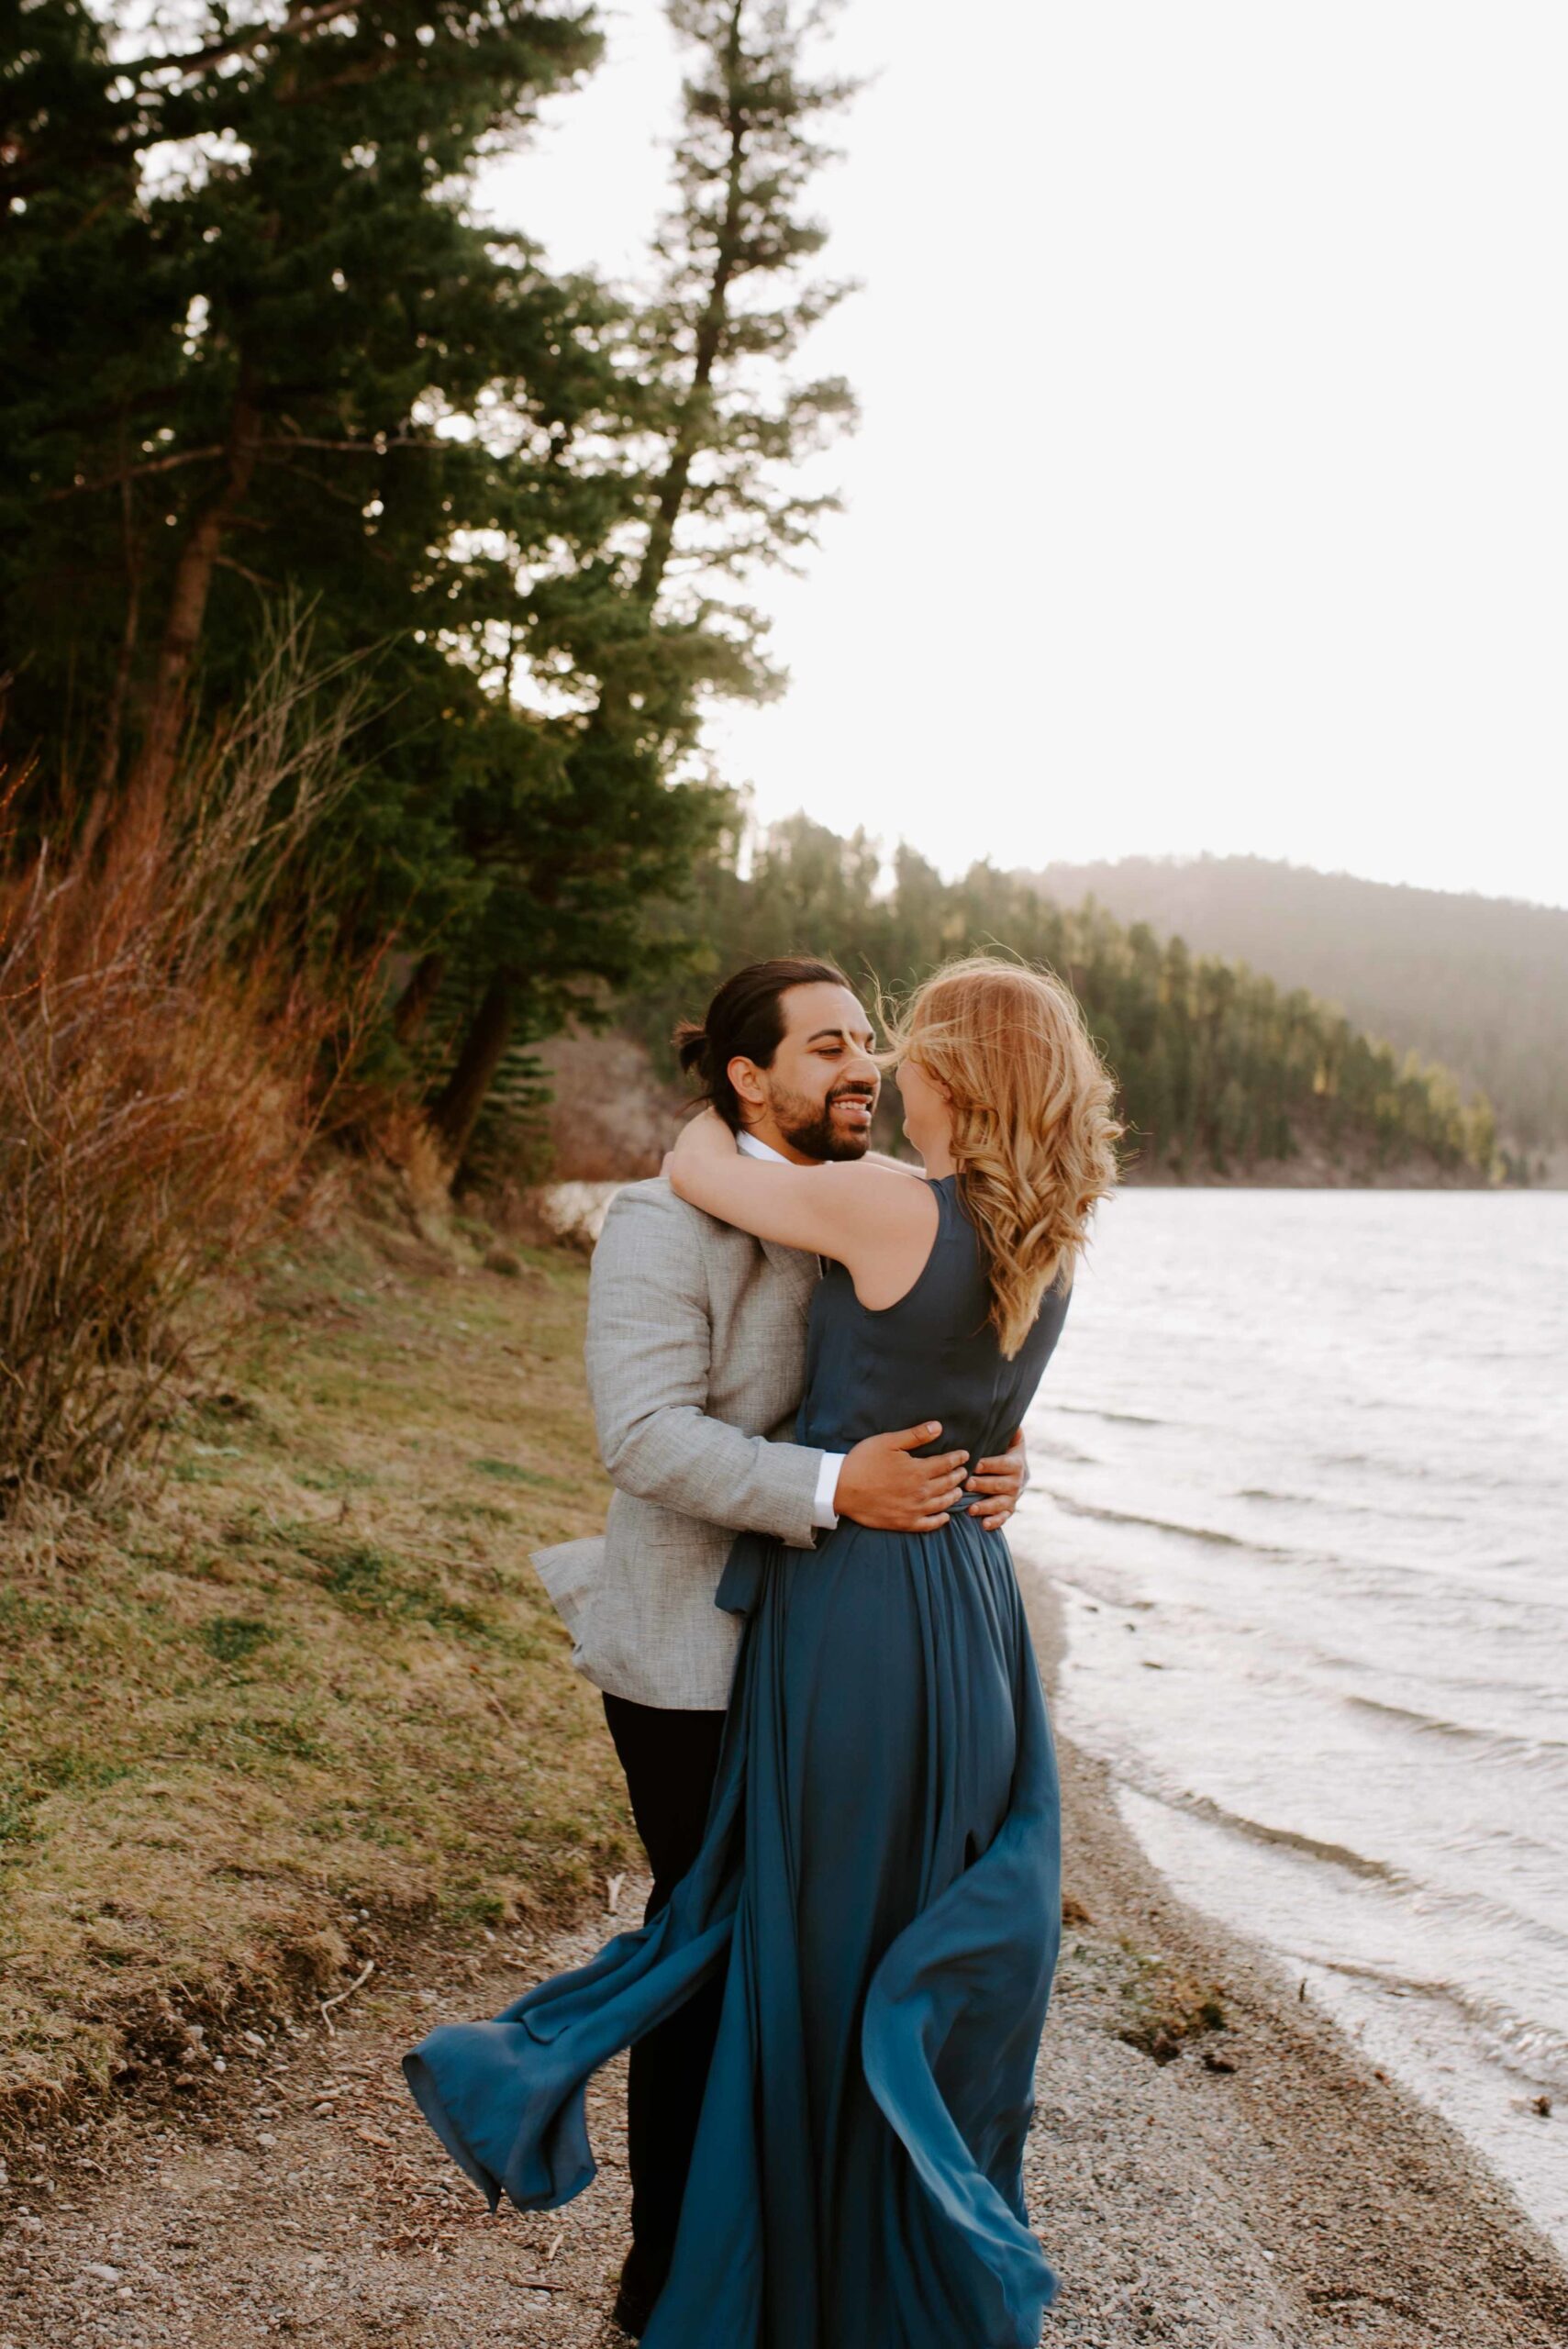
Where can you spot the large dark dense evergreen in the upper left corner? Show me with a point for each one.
(288, 386)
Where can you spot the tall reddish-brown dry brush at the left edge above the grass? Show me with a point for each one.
(161, 1077)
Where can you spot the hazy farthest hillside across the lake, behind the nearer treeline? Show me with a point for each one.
(1478, 983)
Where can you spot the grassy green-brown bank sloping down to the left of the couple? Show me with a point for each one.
(304, 1692)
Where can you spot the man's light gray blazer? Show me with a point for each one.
(696, 1361)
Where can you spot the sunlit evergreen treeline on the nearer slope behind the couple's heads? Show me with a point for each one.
(1219, 1070)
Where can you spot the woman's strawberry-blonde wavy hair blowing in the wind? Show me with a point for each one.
(1034, 1131)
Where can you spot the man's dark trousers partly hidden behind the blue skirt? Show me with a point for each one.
(670, 1763)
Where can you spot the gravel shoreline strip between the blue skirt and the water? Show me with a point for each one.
(1266, 2186)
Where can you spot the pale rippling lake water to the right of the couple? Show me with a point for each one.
(1302, 1479)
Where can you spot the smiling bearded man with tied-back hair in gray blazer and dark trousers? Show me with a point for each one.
(696, 1361)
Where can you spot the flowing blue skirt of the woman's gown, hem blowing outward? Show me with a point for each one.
(884, 1878)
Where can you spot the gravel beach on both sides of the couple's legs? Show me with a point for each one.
(1212, 2165)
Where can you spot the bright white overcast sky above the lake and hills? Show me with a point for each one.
(1212, 487)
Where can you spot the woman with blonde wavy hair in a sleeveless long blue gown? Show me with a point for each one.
(881, 1864)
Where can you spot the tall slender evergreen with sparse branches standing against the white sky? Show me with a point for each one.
(712, 502)
